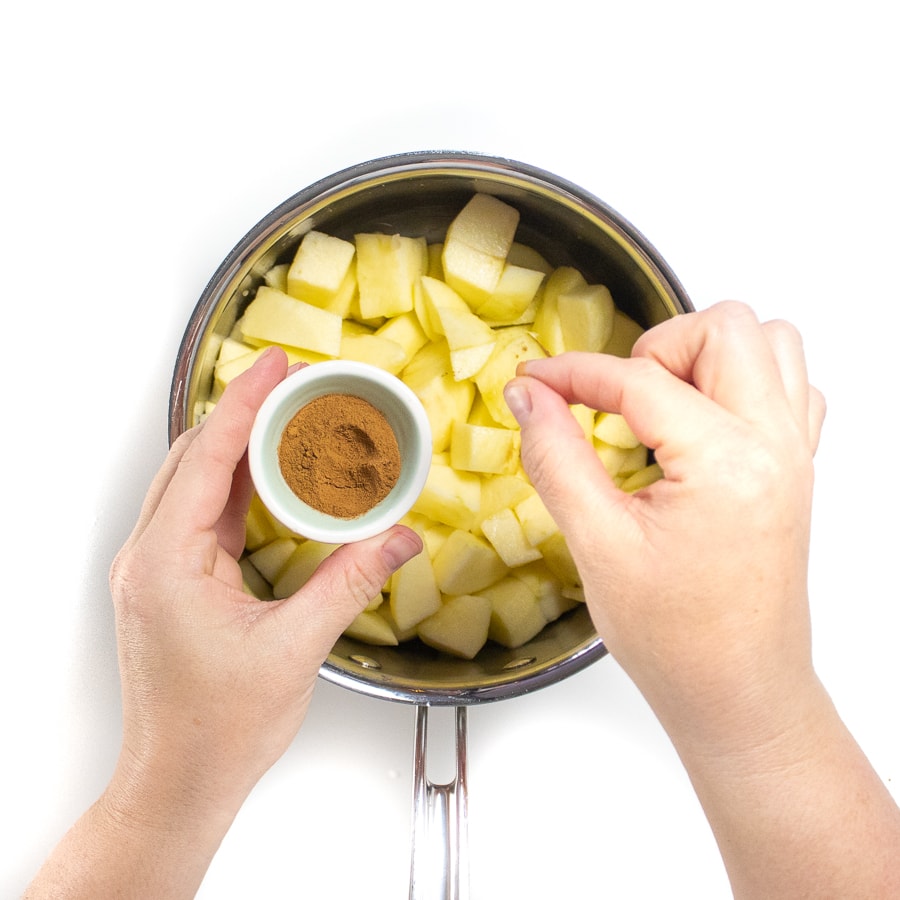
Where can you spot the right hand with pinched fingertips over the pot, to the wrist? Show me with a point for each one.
(698, 582)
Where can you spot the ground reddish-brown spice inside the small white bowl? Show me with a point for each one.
(339, 455)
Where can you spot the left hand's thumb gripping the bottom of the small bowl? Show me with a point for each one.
(346, 581)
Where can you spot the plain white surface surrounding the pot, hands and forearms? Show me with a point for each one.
(757, 150)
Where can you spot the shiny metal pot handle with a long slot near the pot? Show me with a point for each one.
(439, 868)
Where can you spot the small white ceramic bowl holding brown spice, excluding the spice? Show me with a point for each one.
(390, 396)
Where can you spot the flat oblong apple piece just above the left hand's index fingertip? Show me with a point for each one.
(280, 318)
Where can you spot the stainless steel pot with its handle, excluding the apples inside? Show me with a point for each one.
(418, 194)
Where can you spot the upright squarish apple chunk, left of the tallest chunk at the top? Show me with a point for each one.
(387, 268)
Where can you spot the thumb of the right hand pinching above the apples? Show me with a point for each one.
(562, 465)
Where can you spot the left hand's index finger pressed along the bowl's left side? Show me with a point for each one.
(199, 489)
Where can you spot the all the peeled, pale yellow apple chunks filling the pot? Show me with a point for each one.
(452, 319)
